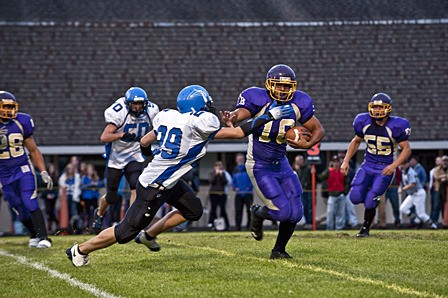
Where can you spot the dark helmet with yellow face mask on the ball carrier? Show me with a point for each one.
(281, 82)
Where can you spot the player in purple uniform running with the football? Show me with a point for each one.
(267, 165)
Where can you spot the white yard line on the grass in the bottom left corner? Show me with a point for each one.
(56, 274)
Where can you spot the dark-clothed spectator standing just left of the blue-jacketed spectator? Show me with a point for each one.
(219, 178)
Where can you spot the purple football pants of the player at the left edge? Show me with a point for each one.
(22, 195)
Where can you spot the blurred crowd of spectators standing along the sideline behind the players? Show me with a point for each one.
(81, 186)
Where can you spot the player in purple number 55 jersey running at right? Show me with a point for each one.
(383, 134)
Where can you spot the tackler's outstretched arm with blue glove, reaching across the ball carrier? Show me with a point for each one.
(248, 127)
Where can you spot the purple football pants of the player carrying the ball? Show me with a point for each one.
(279, 188)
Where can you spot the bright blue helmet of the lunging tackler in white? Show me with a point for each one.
(194, 98)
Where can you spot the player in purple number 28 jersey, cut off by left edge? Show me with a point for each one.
(17, 175)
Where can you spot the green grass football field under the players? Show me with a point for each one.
(401, 263)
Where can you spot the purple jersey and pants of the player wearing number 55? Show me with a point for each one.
(381, 149)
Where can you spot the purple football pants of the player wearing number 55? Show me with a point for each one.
(369, 184)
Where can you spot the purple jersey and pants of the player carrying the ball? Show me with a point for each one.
(267, 166)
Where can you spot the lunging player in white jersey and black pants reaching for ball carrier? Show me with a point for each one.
(182, 136)
